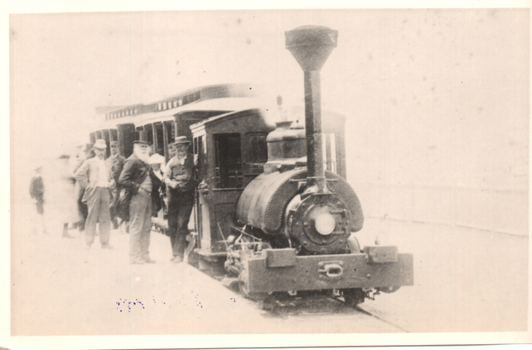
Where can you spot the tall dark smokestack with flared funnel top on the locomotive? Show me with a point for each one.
(311, 46)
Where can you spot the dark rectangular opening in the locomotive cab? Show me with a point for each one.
(228, 166)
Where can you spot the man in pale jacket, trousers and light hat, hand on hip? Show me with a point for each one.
(95, 177)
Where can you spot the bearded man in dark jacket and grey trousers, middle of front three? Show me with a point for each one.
(137, 180)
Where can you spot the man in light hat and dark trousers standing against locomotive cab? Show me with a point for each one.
(180, 180)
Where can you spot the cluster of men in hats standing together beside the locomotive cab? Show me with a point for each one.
(130, 189)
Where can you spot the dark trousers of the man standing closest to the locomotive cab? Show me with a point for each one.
(179, 209)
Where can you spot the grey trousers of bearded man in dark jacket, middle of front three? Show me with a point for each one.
(140, 225)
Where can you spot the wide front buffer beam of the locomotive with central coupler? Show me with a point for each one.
(277, 270)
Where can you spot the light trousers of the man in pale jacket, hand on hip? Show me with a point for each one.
(98, 205)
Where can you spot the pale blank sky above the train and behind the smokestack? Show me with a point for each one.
(415, 85)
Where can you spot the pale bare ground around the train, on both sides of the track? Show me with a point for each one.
(465, 281)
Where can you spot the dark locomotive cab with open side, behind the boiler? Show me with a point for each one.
(231, 151)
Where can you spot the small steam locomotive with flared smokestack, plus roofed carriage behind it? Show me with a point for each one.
(273, 208)
